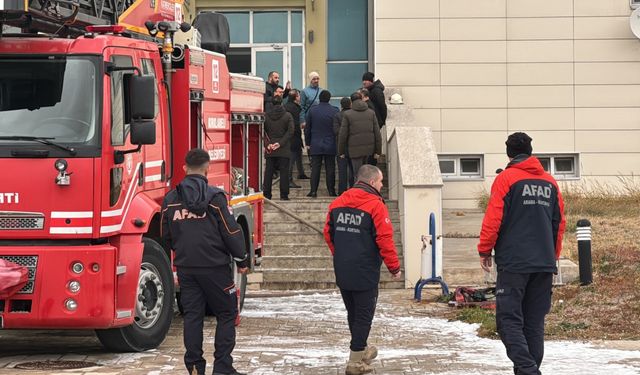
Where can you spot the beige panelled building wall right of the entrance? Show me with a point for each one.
(566, 72)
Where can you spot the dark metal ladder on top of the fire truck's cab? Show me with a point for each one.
(61, 17)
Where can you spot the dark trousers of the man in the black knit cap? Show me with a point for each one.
(522, 302)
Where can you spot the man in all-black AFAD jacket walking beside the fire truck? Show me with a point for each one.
(197, 225)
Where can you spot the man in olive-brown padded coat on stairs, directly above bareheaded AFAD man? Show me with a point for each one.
(359, 133)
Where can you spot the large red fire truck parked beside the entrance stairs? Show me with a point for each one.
(95, 122)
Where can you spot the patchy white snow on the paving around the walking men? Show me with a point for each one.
(416, 344)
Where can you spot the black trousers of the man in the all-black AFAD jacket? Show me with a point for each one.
(215, 288)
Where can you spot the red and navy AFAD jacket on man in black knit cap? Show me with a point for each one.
(524, 221)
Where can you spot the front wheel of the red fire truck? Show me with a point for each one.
(153, 309)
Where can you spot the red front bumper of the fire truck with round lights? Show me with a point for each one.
(68, 287)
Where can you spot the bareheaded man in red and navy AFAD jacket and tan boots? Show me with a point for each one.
(360, 236)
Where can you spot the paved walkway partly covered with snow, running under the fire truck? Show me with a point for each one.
(307, 334)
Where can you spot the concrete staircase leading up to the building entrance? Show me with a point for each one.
(296, 256)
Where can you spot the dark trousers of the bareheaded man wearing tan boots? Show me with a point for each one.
(361, 306)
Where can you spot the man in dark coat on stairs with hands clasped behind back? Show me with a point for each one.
(278, 129)
